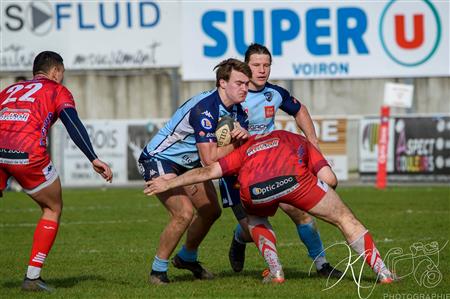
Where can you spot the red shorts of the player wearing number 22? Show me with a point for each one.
(32, 174)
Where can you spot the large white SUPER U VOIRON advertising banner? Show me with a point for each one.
(320, 39)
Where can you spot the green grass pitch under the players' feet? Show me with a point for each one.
(108, 238)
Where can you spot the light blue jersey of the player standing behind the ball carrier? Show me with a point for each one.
(261, 107)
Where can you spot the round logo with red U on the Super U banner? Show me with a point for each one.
(410, 34)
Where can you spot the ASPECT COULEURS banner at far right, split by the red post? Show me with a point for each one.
(418, 150)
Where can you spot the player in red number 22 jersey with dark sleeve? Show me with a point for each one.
(27, 111)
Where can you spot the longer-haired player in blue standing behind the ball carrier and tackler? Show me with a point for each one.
(262, 102)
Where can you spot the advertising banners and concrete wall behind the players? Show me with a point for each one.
(130, 64)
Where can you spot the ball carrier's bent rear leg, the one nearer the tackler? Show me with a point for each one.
(204, 199)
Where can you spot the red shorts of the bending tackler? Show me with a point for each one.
(303, 197)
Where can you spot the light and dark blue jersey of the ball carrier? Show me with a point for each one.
(194, 122)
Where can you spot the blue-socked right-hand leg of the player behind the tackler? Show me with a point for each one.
(310, 236)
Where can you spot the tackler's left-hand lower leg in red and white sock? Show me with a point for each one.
(265, 240)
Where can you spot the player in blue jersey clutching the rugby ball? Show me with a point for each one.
(188, 141)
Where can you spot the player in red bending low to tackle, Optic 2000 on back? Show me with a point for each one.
(274, 168)
